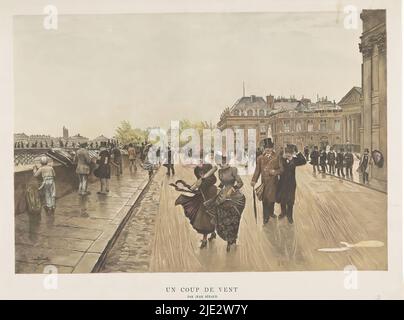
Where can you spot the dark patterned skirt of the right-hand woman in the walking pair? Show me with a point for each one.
(227, 214)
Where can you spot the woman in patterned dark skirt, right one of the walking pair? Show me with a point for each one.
(228, 205)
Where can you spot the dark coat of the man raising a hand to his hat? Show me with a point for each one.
(287, 182)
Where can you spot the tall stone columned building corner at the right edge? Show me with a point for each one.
(374, 88)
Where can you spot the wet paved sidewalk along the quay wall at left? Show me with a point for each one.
(81, 229)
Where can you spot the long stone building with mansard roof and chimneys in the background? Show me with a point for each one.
(286, 120)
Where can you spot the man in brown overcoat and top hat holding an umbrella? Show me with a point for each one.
(269, 167)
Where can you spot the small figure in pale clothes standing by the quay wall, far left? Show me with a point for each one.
(48, 186)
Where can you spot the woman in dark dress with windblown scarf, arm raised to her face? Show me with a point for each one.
(203, 190)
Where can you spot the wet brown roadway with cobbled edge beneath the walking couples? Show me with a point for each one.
(328, 211)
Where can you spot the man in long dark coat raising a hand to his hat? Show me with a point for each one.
(287, 182)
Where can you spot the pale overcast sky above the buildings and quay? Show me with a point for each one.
(97, 70)
